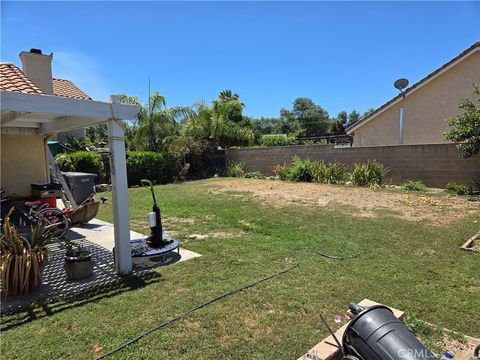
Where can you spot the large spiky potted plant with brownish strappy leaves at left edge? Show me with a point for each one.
(23, 256)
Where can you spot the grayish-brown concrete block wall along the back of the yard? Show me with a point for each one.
(435, 164)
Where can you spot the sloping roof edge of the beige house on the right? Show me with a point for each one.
(464, 54)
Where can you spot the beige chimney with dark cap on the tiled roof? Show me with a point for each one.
(38, 67)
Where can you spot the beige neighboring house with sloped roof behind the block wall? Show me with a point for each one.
(426, 105)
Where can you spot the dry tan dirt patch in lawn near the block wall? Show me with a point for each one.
(439, 209)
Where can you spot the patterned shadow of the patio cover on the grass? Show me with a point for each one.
(28, 313)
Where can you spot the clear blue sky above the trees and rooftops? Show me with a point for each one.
(342, 55)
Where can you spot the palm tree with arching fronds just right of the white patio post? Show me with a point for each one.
(155, 121)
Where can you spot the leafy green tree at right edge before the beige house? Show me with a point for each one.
(465, 128)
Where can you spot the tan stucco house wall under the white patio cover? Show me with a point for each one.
(23, 157)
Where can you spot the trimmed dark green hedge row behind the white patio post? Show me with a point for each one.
(161, 168)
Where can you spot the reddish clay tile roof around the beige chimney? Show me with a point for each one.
(14, 80)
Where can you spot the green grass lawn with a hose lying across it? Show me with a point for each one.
(413, 266)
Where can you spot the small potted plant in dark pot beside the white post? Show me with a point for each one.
(78, 261)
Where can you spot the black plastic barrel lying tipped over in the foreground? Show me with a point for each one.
(376, 334)
